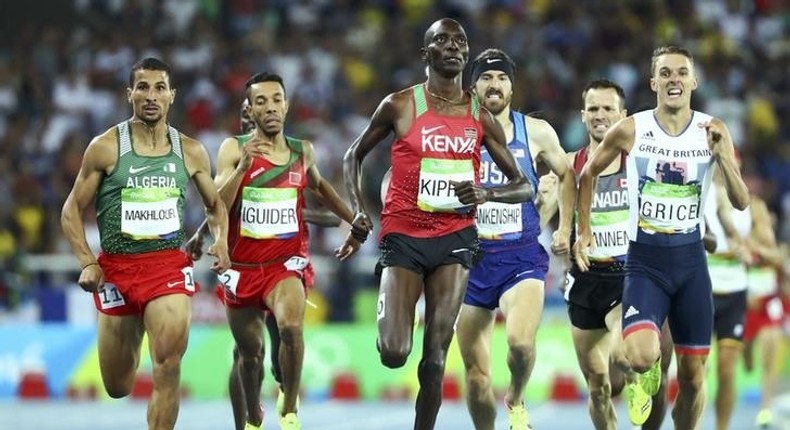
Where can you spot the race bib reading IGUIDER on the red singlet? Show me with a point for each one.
(269, 213)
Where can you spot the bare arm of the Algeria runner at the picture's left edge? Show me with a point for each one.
(98, 157)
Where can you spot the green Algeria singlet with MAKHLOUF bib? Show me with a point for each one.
(140, 204)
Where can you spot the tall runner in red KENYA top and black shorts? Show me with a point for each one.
(428, 240)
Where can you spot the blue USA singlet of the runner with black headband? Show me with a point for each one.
(503, 225)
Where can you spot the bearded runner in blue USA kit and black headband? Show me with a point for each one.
(510, 276)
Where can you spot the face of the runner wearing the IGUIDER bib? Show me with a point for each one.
(268, 107)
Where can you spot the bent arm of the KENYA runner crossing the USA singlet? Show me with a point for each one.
(518, 188)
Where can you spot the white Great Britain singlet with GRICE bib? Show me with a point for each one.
(669, 177)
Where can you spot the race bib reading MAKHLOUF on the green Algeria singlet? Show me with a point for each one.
(150, 213)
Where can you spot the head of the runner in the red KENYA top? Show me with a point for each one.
(446, 50)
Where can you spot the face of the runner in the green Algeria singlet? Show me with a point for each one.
(151, 95)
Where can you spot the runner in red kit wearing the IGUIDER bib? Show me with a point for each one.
(261, 178)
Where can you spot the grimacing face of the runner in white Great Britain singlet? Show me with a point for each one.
(673, 80)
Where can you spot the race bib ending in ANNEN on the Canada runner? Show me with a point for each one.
(610, 232)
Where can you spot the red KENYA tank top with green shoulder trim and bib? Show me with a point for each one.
(436, 149)
